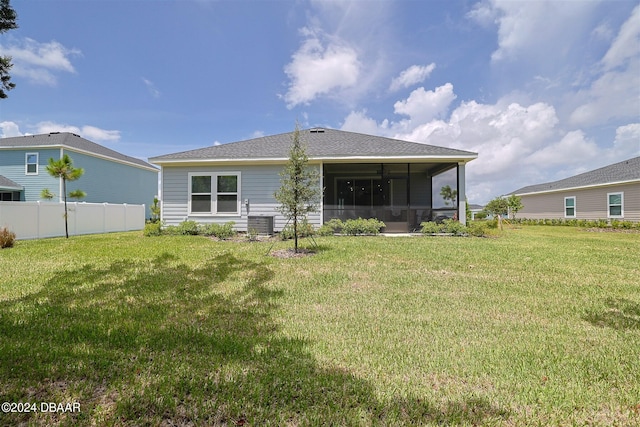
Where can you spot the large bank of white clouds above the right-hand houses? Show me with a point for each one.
(517, 144)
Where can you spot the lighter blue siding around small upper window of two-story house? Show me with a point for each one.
(13, 166)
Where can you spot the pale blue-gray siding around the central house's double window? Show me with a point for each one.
(258, 184)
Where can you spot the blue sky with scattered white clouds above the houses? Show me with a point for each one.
(541, 90)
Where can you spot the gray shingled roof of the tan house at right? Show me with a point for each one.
(627, 170)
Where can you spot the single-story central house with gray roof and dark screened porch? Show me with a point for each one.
(362, 176)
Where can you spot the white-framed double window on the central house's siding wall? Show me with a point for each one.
(215, 193)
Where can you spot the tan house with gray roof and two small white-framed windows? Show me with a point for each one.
(611, 192)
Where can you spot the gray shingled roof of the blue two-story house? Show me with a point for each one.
(69, 140)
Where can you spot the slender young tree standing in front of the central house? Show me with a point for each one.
(299, 192)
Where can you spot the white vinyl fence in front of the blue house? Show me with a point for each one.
(34, 220)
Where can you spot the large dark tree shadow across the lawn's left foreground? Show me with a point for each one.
(163, 343)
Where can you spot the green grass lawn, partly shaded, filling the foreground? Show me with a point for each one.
(540, 326)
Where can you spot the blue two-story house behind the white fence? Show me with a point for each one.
(108, 177)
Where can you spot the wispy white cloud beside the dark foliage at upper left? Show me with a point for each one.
(39, 62)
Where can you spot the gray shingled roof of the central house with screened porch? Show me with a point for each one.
(320, 144)
